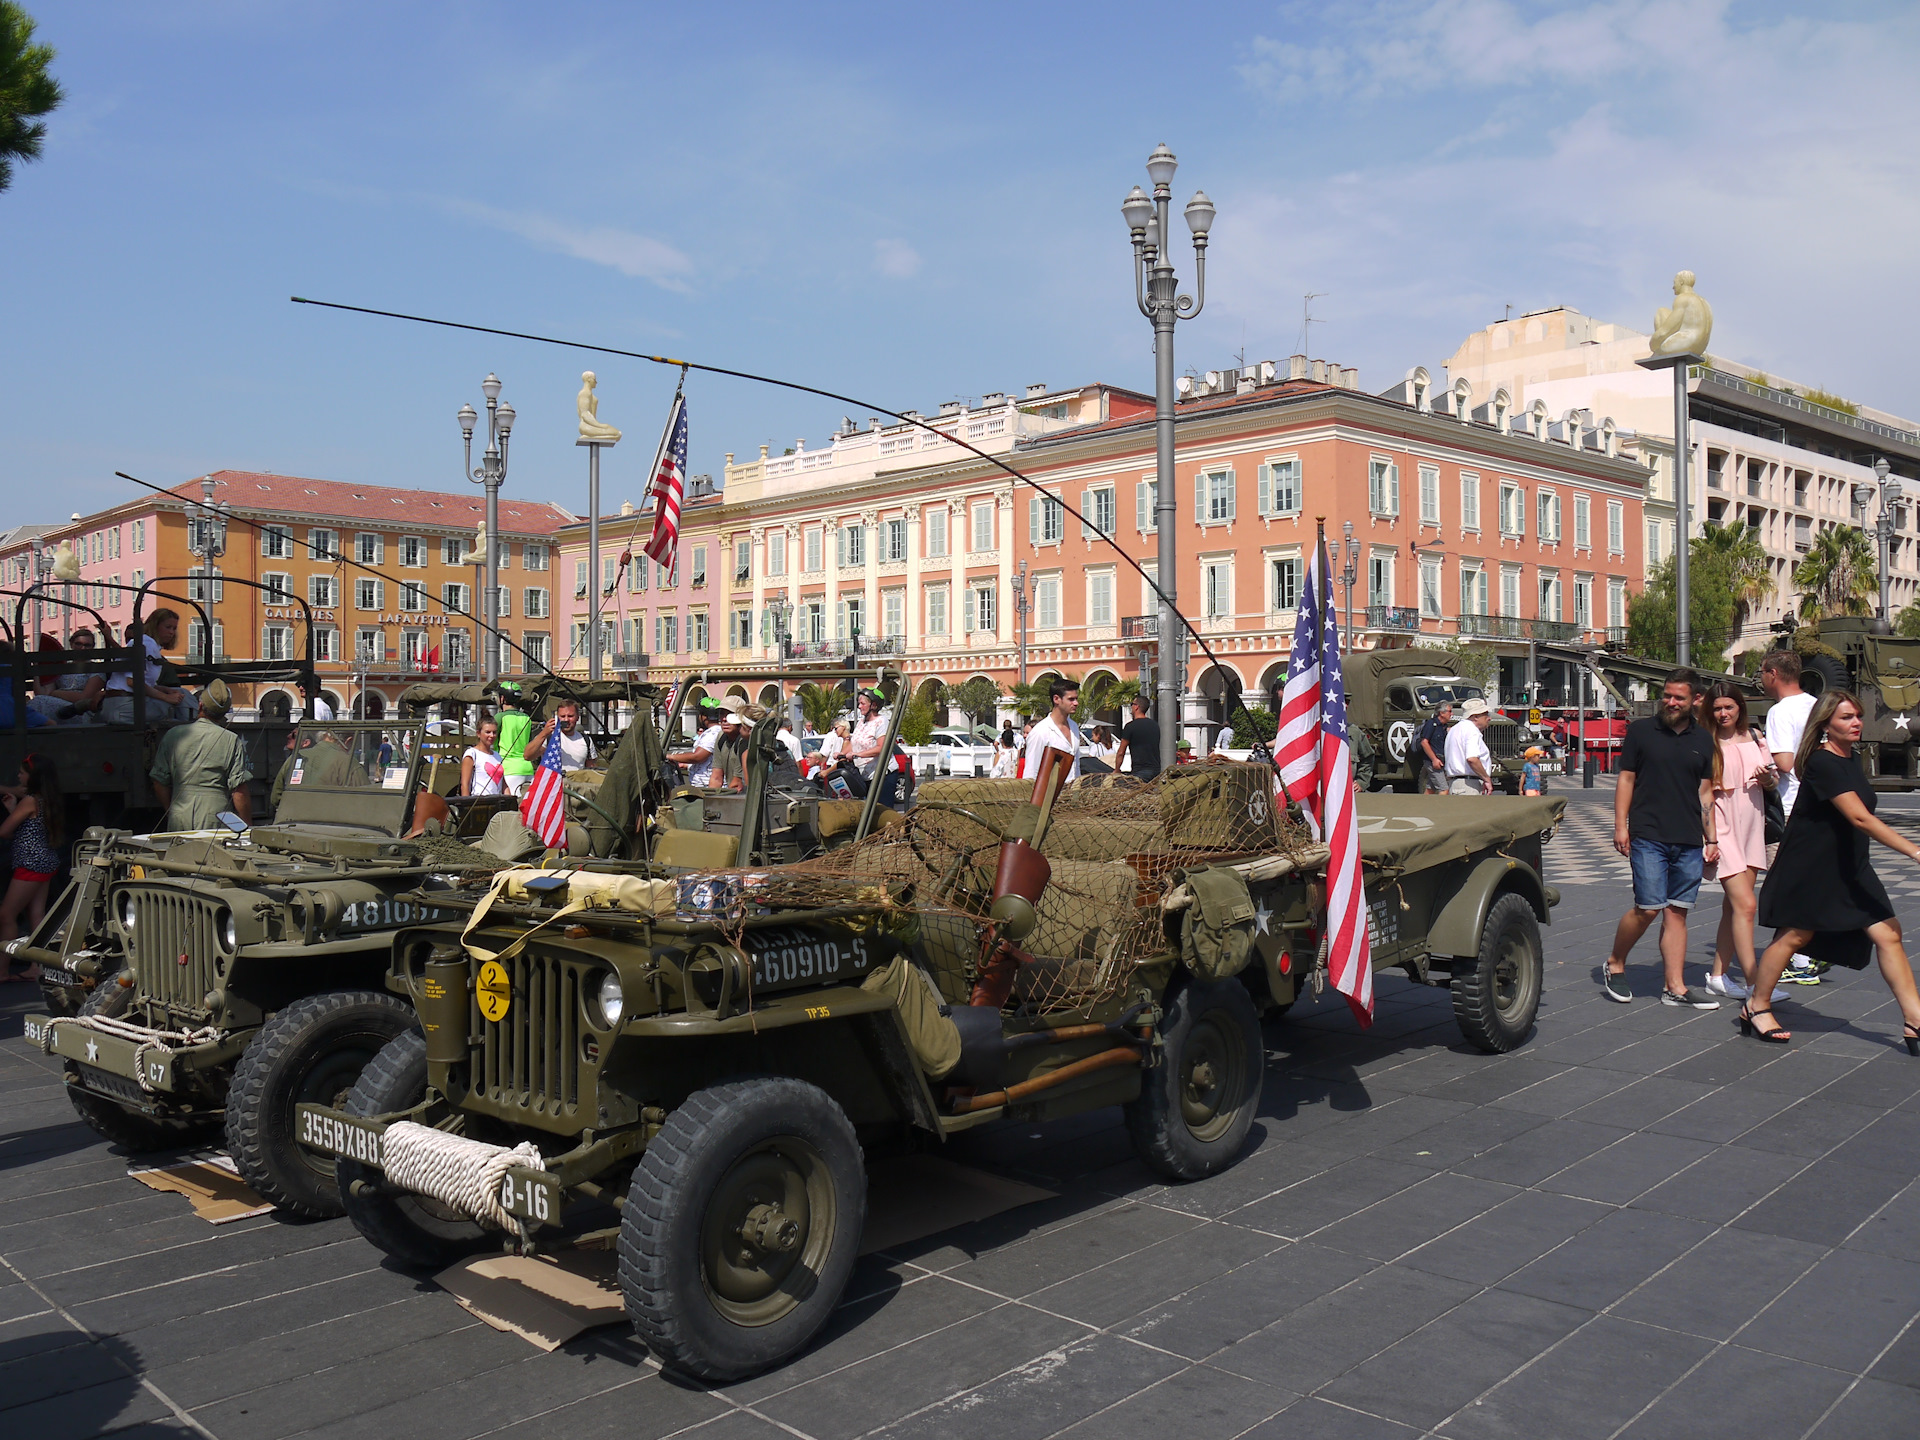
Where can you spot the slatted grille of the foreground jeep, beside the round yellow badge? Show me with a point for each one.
(529, 1065)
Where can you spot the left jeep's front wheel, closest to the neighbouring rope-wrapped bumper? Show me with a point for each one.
(310, 1053)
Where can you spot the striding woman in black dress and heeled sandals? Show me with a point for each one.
(1823, 878)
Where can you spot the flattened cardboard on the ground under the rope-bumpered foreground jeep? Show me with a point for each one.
(552, 1299)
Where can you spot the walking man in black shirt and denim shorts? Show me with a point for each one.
(1664, 823)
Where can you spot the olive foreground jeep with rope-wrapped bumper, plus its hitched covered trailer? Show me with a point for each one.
(694, 1070)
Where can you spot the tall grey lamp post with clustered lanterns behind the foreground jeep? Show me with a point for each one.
(1157, 293)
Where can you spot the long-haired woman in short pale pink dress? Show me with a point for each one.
(1742, 775)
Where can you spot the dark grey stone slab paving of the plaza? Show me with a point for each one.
(1635, 1226)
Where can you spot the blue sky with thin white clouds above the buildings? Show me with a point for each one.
(900, 203)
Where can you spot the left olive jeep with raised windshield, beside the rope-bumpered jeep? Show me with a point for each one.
(204, 982)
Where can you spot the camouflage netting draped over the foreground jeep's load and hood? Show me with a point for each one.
(1115, 846)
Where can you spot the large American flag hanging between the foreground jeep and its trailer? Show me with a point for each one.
(1316, 763)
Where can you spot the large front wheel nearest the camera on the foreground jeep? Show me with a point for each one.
(742, 1228)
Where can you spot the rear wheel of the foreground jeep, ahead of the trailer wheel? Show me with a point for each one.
(1199, 1103)
